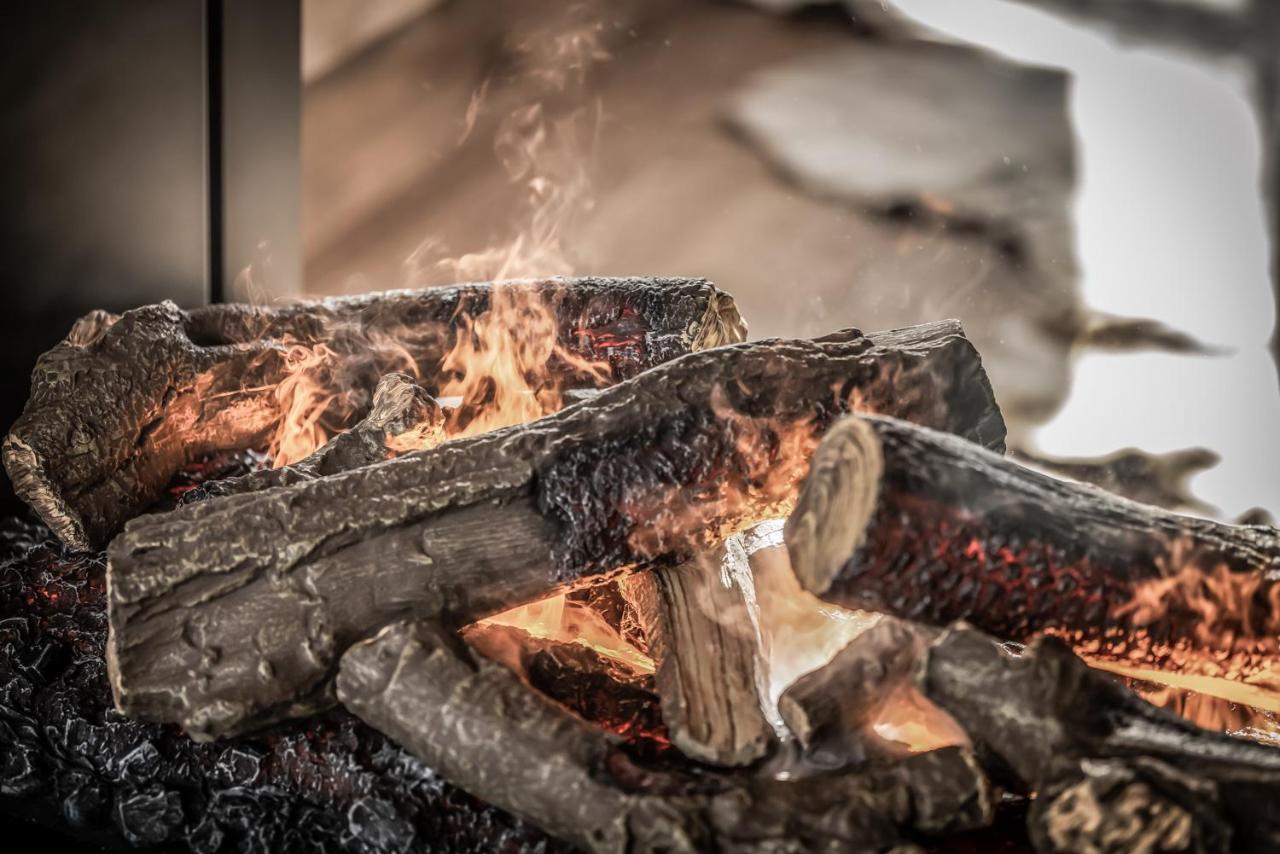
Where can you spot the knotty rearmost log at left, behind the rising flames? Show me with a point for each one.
(125, 403)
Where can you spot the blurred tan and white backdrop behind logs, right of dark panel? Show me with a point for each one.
(1078, 182)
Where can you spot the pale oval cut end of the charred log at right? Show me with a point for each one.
(836, 504)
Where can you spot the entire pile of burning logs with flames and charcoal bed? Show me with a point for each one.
(568, 564)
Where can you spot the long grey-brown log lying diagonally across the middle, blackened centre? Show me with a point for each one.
(231, 614)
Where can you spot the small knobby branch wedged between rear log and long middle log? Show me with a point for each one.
(403, 417)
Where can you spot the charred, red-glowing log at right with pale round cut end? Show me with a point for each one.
(927, 527)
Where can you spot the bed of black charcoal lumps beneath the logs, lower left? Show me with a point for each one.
(67, 756)
